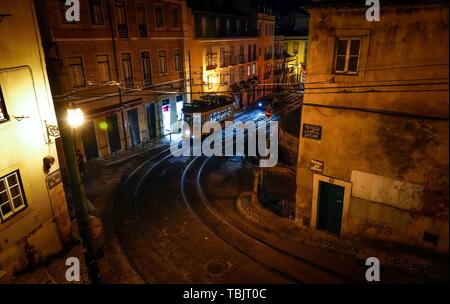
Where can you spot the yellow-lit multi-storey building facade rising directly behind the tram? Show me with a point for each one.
(229, 54)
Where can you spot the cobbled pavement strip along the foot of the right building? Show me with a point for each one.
(432, 269)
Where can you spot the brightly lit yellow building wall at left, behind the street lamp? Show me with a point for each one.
(34, 219)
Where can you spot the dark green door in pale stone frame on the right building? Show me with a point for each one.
(331, 202)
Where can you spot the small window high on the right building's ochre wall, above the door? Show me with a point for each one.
(347, 56)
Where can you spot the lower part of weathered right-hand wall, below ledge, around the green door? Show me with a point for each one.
(398, 168)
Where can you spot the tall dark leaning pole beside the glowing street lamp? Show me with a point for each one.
(54, 70)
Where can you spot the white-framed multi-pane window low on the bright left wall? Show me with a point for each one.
(12, 197)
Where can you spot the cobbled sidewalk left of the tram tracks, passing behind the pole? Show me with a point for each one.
(114, 268)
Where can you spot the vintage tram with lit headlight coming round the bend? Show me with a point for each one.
(209, 108)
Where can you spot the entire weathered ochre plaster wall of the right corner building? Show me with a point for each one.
(396, 164)
